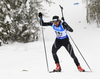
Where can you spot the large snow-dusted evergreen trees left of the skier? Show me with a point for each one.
(18, 19)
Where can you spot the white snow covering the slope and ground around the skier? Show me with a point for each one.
(27, 60)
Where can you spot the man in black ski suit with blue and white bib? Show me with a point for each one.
(62, 39)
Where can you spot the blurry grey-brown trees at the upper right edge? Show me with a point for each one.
(93, 11)
